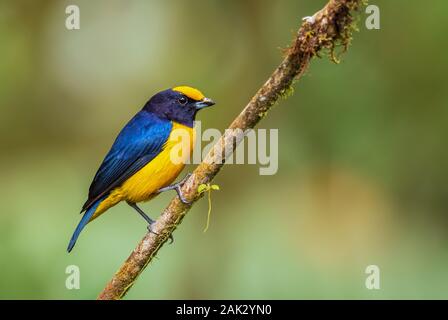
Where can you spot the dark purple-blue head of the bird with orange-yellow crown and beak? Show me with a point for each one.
(179, 104)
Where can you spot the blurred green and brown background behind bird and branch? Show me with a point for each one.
(363, 157)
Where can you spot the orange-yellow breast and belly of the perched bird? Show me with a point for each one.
(158, 173)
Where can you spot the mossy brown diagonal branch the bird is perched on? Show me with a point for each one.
(328, 29)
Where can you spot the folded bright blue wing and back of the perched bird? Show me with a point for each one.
(140, 141)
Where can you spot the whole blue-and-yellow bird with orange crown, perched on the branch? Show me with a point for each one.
(139, 166)
